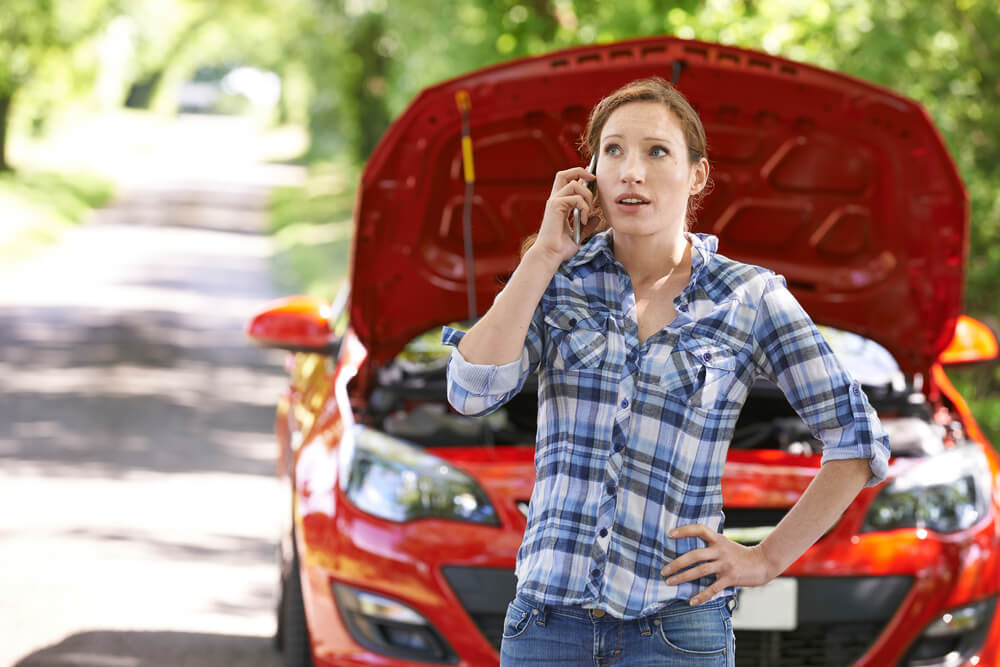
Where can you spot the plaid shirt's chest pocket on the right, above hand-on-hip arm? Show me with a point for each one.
(696, 372)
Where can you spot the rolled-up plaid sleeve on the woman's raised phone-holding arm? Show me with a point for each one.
(479, 389)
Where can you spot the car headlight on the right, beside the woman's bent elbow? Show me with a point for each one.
(946, 493)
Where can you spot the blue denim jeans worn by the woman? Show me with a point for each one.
(540, 635)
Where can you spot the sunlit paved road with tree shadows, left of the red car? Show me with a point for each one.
(138, 505)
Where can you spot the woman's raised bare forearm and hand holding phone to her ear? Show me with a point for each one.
(498, 337)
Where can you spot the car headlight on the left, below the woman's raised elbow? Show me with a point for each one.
(396, 480)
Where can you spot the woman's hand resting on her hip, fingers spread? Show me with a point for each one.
(732, 564)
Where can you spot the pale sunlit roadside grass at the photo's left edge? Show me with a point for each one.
(36, 207)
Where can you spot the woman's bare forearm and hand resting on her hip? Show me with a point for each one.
(825, 499)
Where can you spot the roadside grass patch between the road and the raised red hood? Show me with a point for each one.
(312, 227)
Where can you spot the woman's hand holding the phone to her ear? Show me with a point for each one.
(569, 191)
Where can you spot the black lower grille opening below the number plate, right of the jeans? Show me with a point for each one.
(809, 645)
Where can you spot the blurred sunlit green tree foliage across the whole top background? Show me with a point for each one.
(357, 63)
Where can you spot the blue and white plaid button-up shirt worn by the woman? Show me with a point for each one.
(632, 437)
